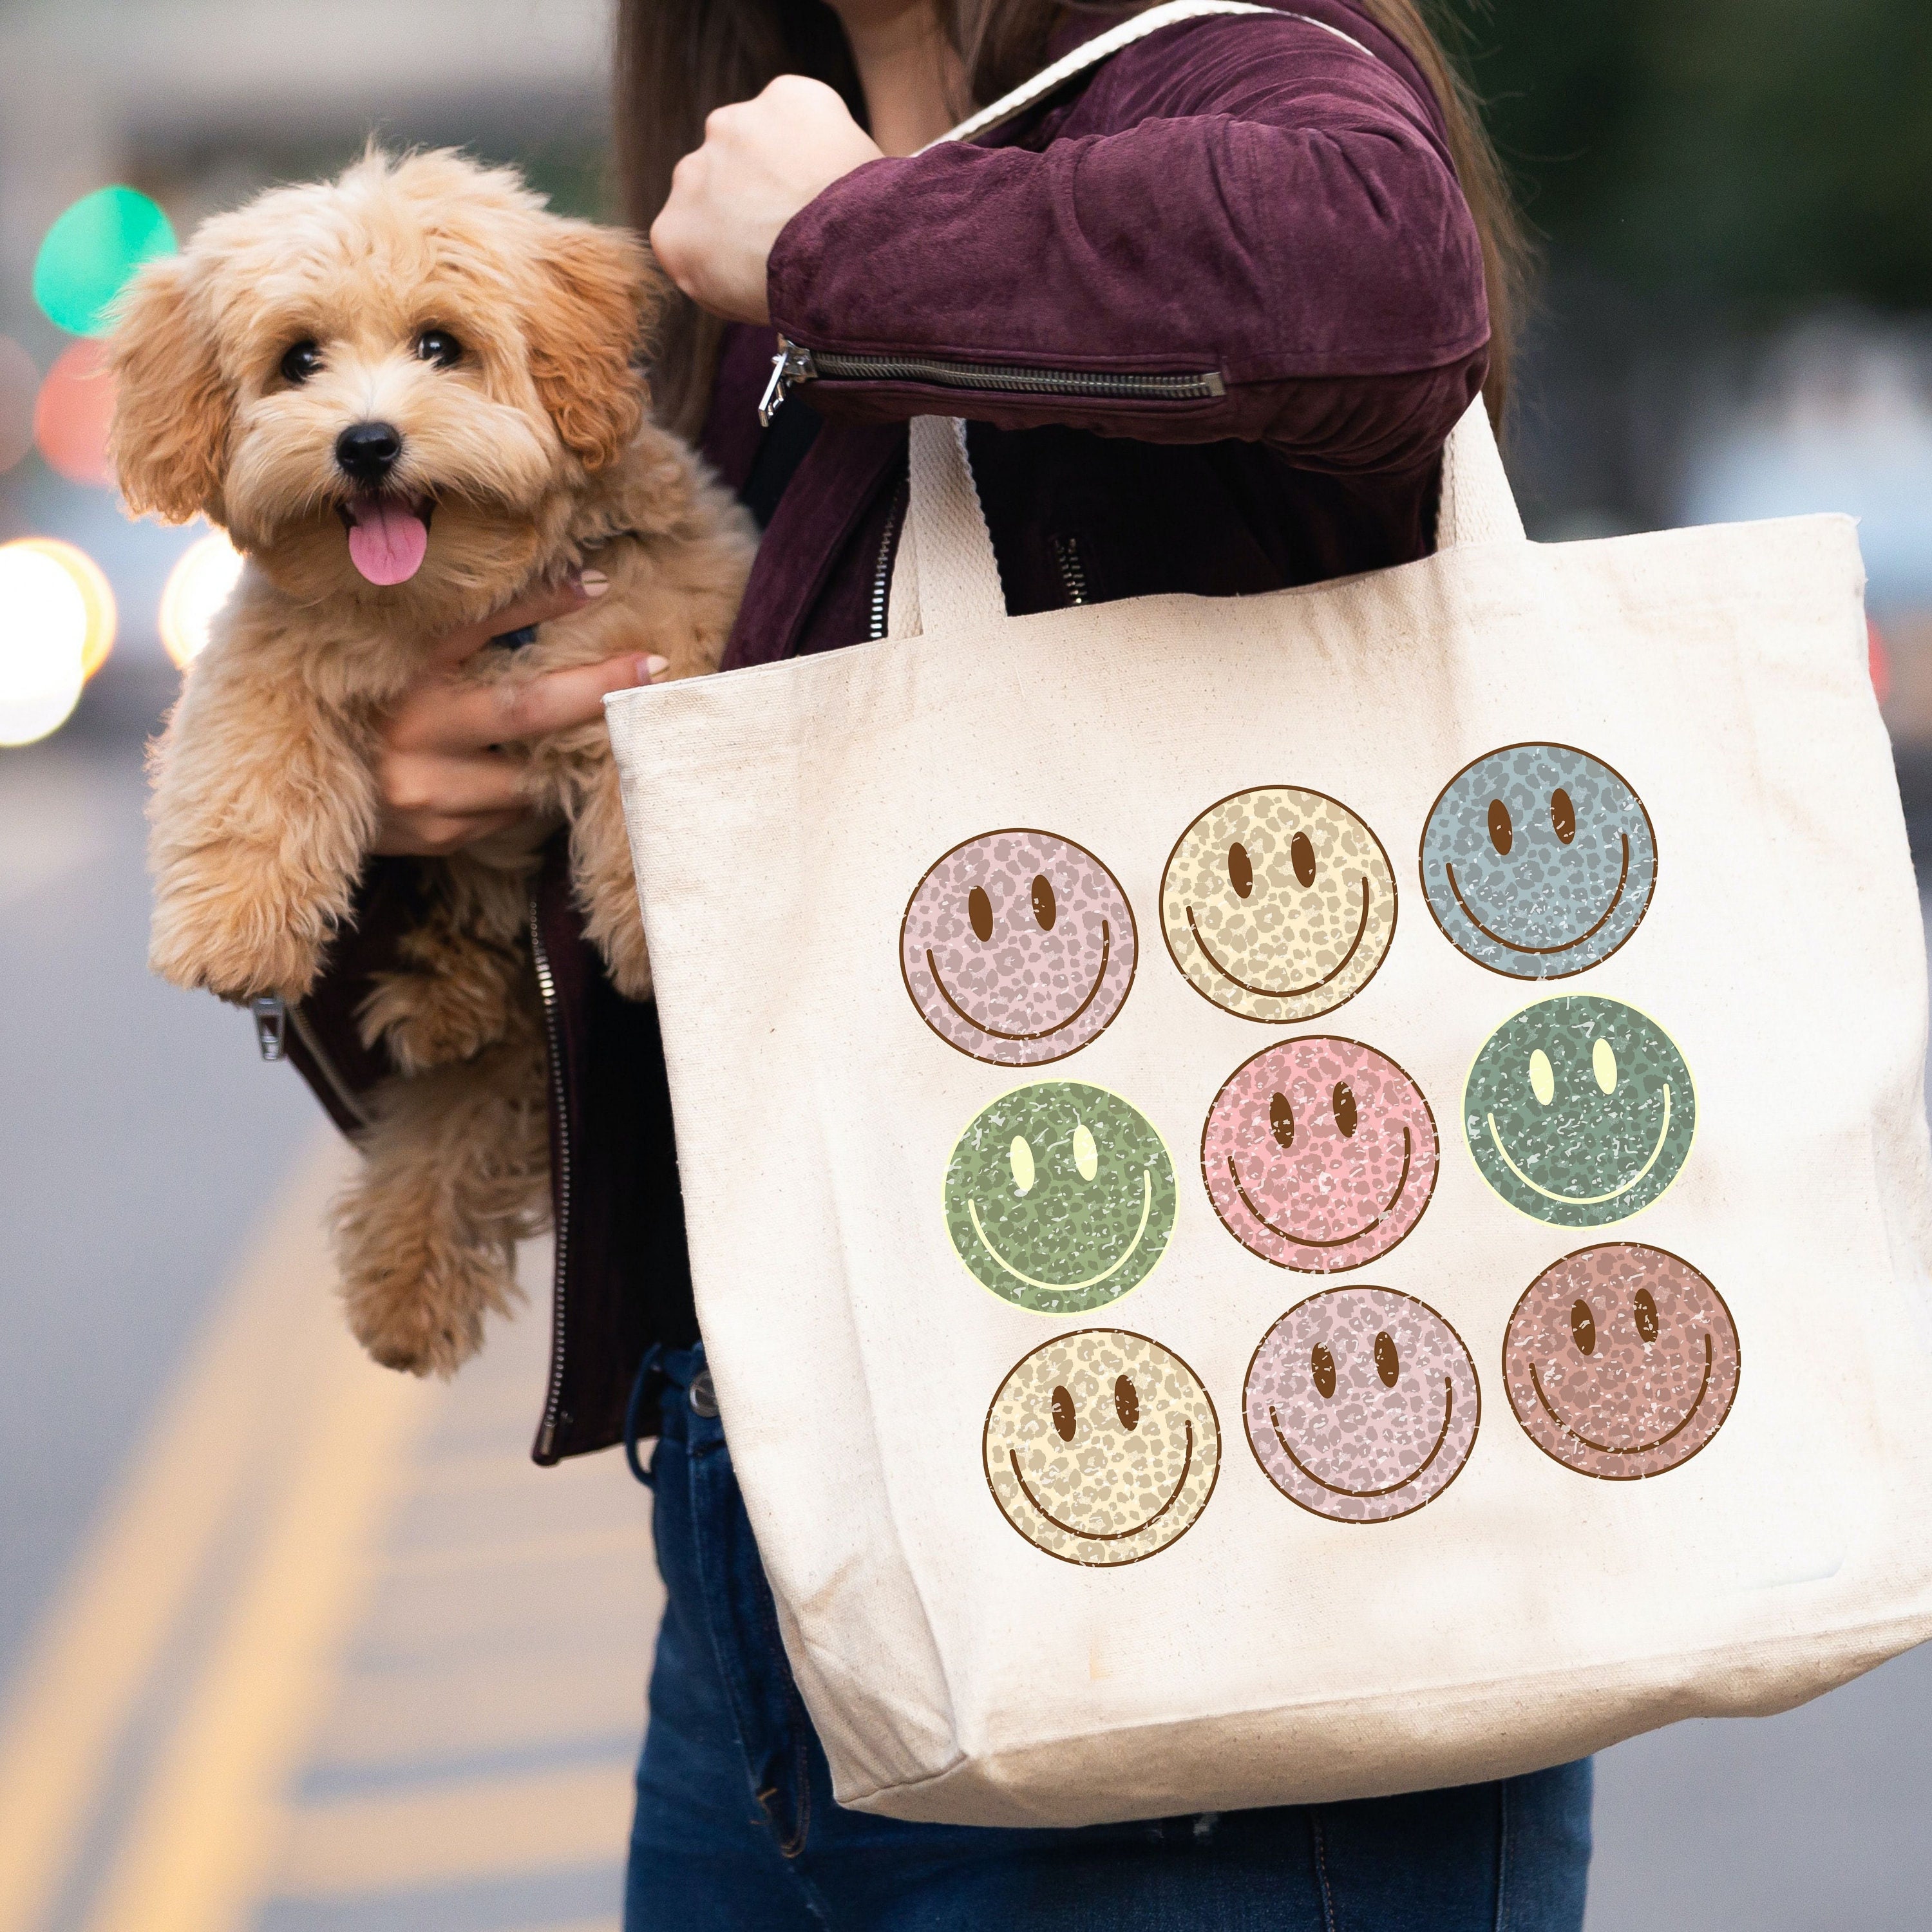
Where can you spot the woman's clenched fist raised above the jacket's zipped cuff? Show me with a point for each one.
(760, 165)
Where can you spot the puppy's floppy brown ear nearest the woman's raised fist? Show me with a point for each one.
(596, 302)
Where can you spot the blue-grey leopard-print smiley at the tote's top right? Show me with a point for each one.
(1539, 861)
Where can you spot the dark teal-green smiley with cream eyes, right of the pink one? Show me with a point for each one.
(1579, 1112)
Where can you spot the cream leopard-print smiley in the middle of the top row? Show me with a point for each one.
(1278, 905)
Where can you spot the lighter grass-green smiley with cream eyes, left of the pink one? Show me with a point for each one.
(1060, 1197)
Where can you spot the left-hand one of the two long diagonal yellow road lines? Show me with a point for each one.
(105, 1630)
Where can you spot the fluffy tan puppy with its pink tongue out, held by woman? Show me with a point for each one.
(409, 395)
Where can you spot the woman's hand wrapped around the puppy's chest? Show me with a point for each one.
(441, 772)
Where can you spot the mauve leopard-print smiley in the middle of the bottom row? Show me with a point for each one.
(1361, 1406)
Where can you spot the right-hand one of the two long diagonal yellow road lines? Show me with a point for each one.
(206, 1831)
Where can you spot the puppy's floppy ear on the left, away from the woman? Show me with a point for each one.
(171, 407)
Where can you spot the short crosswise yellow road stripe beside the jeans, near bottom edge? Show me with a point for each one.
(459, 1833)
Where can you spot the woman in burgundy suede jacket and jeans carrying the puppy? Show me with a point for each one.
(1212, 314)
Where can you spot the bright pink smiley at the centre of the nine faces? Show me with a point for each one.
(1321, 1154)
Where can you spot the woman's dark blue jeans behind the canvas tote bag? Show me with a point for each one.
(737, 1827)
